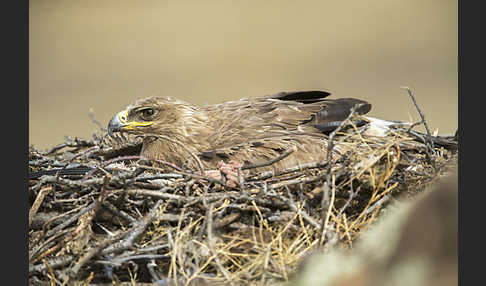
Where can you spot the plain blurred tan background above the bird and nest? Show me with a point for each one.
(103, 55)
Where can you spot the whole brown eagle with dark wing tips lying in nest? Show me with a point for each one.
(249, 130)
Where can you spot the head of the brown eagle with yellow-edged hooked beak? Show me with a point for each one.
(152, 115)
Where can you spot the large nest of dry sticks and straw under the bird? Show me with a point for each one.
(100, 214)
